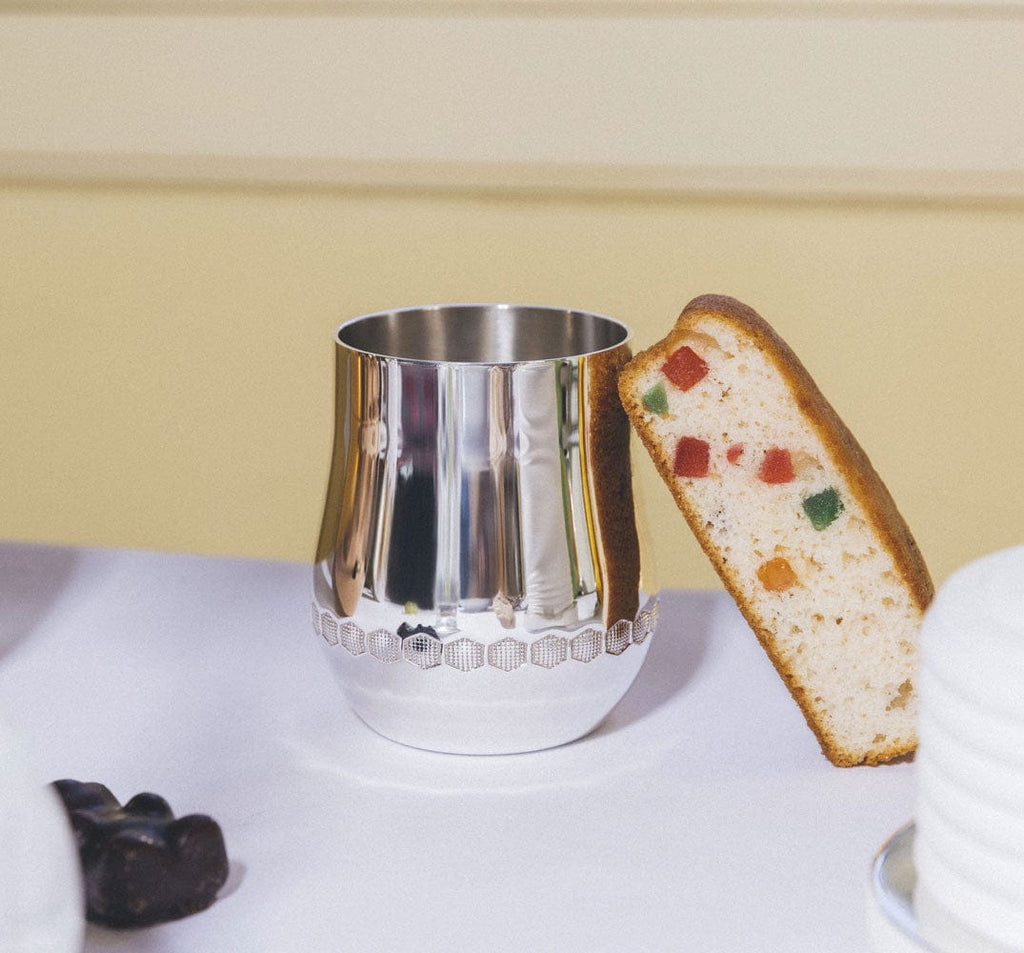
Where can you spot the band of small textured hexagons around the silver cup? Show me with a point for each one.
(467, 655)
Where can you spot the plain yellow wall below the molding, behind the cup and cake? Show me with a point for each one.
(166, 354)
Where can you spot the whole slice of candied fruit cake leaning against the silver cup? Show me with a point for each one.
(800, 528)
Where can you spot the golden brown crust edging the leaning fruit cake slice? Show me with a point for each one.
(848, 456)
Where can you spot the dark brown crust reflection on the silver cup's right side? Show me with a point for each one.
(612, 487)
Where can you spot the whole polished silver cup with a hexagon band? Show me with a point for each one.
(477, 585)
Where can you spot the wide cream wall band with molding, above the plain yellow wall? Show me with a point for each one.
(586, 100)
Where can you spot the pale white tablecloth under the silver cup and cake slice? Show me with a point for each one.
(701, 816)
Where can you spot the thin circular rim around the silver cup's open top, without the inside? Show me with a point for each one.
(392, 314)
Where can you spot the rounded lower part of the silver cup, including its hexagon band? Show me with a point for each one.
(465, 698)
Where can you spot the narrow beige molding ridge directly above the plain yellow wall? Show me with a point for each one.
(576, 181)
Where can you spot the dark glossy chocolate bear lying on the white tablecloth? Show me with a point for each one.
(141, 865)
